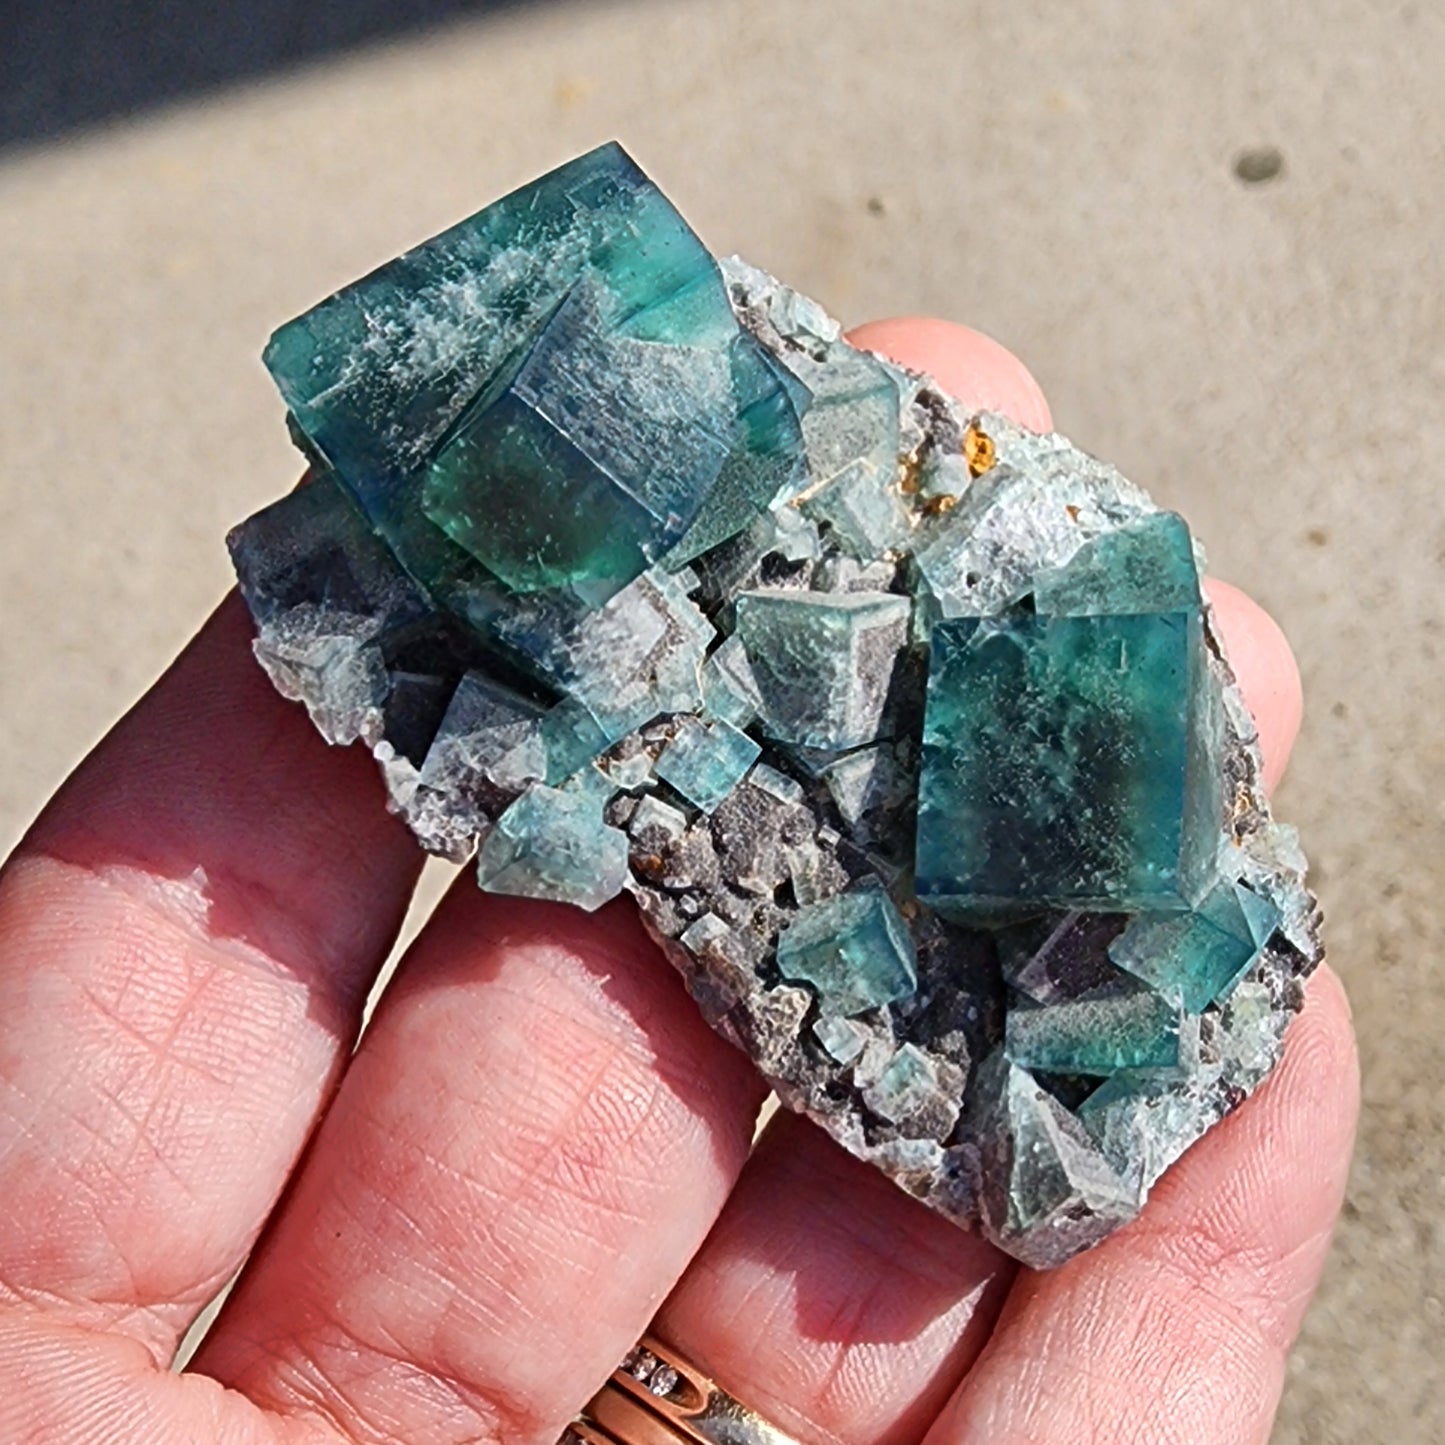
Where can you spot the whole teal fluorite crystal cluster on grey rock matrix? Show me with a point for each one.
(907, 729)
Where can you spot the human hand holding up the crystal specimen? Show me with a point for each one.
(538, 1144)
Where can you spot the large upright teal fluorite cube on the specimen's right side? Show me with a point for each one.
(1060, 759)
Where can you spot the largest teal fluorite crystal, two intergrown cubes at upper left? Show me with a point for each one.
(556, 388)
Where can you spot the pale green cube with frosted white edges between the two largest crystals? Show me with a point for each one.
(821, 663)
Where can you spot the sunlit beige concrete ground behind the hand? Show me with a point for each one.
(1265, 353)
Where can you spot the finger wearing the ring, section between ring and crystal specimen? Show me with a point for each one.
(839, 1307)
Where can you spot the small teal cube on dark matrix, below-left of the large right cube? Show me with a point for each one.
(856, 950)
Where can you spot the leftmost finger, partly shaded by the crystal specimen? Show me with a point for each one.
(187, 937)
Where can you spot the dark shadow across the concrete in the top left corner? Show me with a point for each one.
(79, 63)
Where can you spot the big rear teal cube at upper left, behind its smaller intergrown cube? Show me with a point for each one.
(376, 375)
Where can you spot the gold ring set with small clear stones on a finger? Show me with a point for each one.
(657, 1398)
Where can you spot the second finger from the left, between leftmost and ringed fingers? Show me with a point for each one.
(531, 1144)
